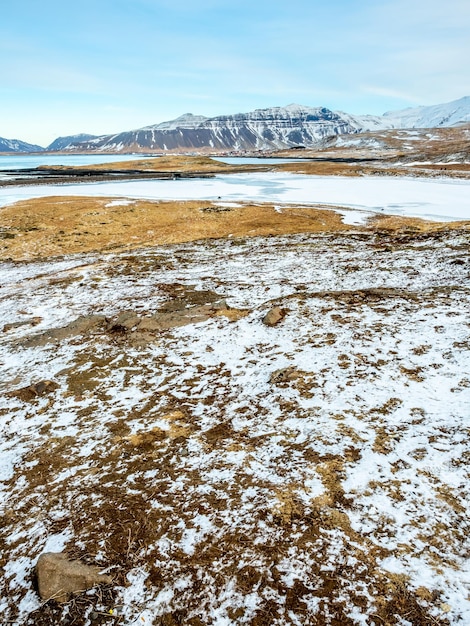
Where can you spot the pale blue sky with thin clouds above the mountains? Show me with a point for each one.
(105, 66)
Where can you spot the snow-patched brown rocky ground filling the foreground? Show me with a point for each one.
(249, 430)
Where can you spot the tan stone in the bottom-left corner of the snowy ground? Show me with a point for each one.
(59, 578)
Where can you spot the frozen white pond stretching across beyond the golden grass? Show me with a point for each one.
(437, 199)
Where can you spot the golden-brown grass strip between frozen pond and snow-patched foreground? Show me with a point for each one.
(49, 227)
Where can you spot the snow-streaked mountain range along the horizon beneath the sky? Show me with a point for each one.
(262, 129)
